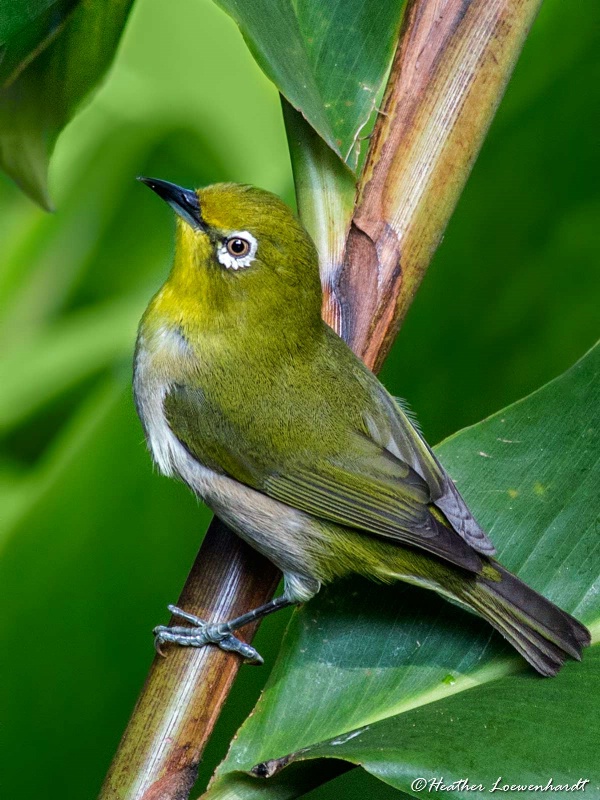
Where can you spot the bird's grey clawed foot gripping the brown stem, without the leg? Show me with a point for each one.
(203, 633)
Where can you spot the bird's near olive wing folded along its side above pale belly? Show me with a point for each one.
(366, 487)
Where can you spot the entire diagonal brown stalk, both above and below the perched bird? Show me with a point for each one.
(452, 64)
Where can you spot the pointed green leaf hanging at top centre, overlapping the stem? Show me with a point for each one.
(329, 59)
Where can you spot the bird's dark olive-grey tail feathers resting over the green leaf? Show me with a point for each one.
(543, 633)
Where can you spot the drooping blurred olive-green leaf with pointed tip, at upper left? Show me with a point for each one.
(41, 100)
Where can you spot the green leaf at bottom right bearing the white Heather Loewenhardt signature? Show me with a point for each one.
(516, 732)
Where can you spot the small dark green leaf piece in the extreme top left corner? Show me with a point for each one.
(25, 29)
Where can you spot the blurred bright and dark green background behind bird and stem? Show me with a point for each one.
(93, 545)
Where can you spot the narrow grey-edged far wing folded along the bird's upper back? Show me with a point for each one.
(392, 428)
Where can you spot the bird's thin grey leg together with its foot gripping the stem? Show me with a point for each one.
(219, 633)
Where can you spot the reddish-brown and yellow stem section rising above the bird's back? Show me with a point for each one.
(452, 64)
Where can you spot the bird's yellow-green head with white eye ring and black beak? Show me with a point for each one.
(240, 253)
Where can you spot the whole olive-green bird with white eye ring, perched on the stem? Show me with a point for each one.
(249, 398)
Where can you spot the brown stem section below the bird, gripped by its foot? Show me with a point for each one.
(180, 703)
